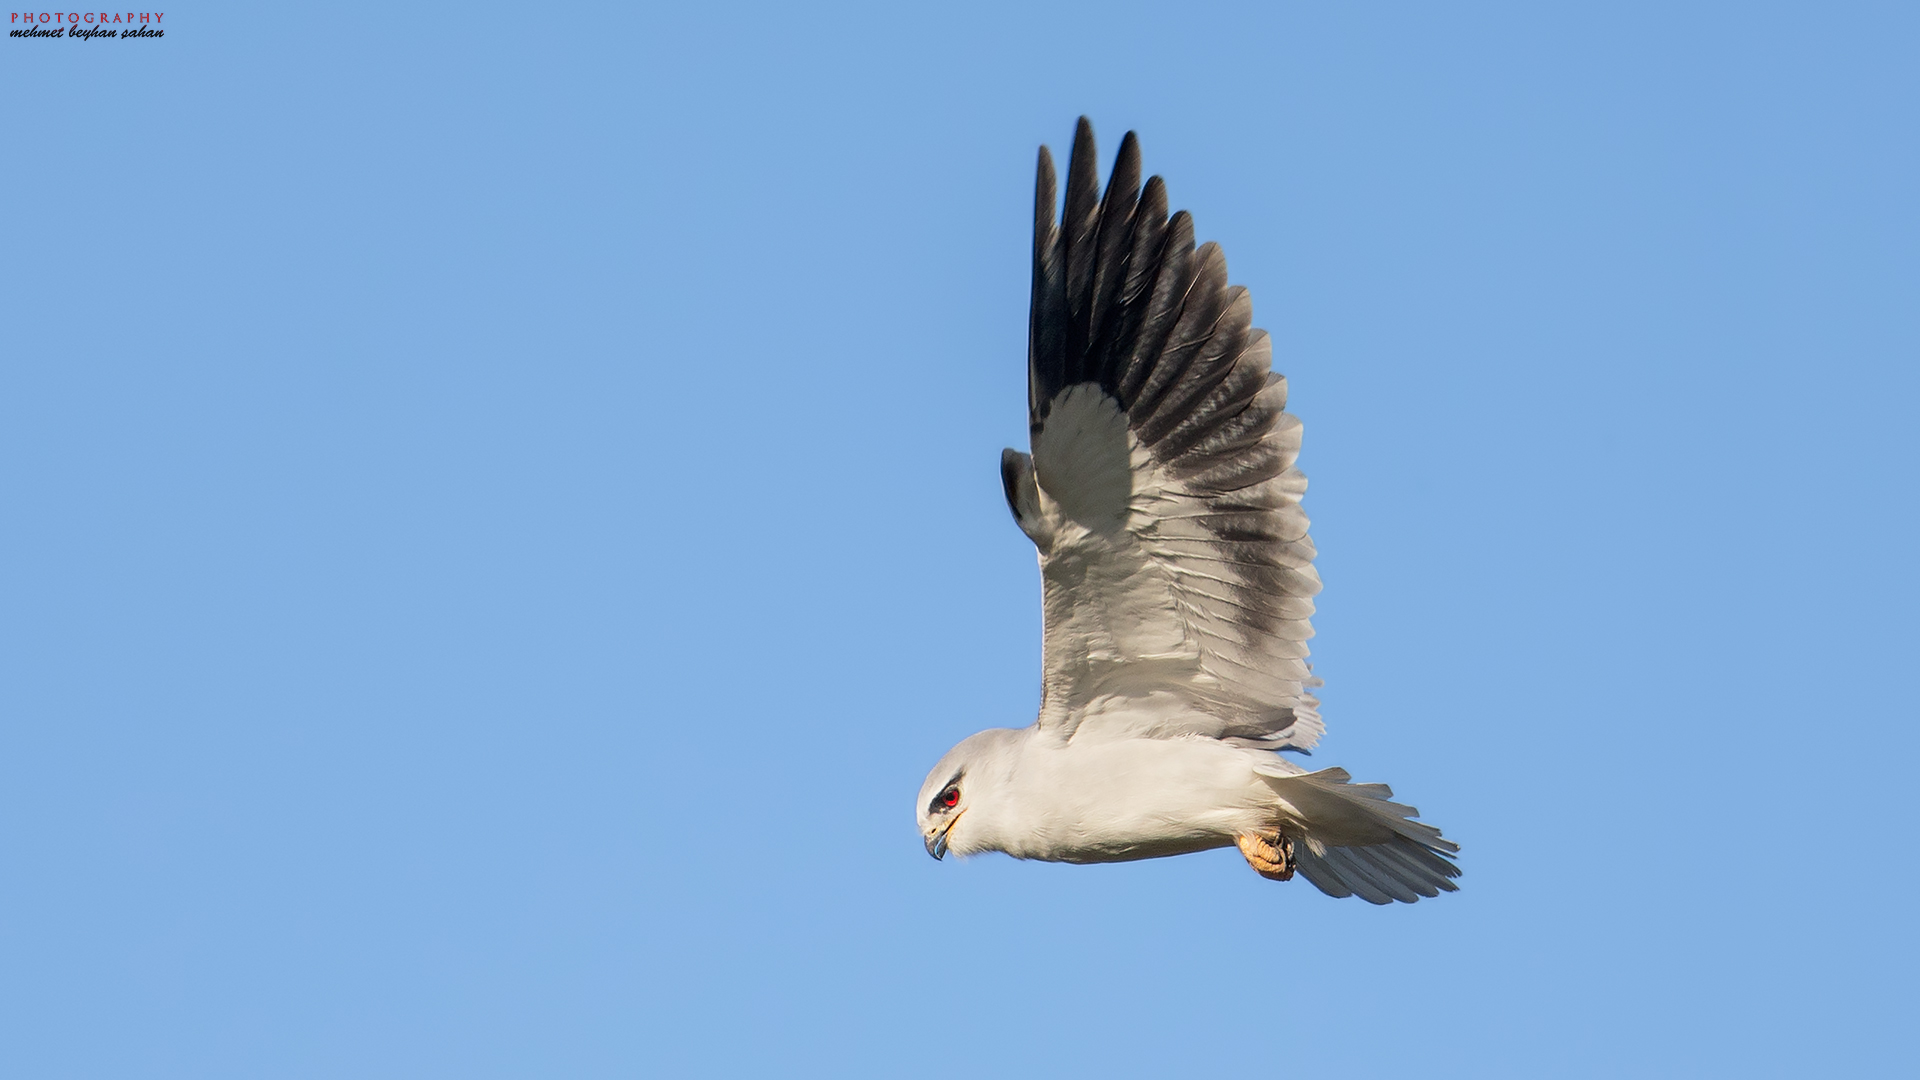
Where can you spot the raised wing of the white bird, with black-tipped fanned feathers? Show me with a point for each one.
(1163, 497)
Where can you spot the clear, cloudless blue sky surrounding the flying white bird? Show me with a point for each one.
(502, 512)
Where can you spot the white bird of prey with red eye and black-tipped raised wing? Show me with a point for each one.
(1176, 577)
